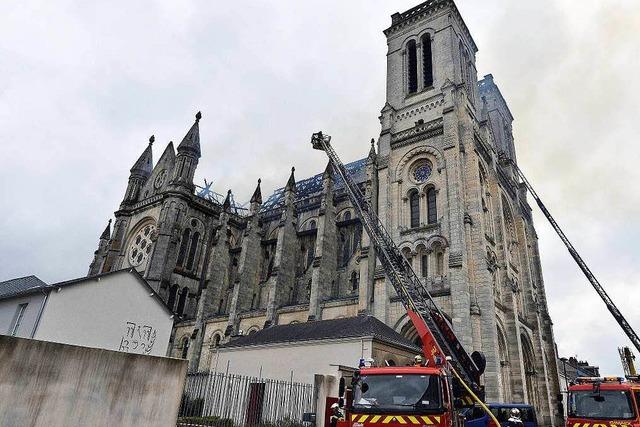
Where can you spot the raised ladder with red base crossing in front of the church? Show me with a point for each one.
(440, 344)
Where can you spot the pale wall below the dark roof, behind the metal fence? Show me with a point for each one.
(304, 359)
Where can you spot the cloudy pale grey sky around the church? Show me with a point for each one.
(84, 84)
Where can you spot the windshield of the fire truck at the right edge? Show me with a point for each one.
(607, 404)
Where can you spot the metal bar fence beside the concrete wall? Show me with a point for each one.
(245, 400)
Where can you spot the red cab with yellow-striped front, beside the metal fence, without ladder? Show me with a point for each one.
(401, 396)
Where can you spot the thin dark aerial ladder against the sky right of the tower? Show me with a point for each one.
(578, 259)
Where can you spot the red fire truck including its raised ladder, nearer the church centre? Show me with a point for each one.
(416, 395)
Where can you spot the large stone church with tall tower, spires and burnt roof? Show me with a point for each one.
(442, 188)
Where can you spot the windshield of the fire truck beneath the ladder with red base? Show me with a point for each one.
(400, 392)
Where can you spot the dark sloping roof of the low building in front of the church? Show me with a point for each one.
(350, 327)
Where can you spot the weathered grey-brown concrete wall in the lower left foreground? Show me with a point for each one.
(50, 384)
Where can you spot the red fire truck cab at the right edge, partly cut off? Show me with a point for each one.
(604, 402)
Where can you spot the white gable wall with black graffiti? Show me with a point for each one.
(115, 312)
